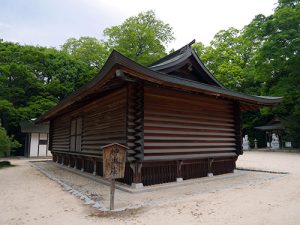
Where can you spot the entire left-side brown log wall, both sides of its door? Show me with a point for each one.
(103, 122)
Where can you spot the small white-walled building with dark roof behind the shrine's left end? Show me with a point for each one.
(36, 142)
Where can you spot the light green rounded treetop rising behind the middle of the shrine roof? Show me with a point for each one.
(141, 38)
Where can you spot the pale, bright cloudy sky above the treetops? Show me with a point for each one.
(51, 22)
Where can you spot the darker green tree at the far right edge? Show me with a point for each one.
(277, 62)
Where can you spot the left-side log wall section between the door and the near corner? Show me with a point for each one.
(104, 122)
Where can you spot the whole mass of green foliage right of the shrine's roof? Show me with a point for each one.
(262, 59)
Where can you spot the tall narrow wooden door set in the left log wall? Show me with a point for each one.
(76, 131)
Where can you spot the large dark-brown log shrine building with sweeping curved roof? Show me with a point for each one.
(176, 119)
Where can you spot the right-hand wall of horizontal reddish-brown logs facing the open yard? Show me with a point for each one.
(183, 126)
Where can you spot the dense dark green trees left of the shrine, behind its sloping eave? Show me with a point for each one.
(33, 79)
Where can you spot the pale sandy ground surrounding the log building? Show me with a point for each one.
(29, 197)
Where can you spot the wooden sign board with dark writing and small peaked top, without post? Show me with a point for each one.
(114, 158)
